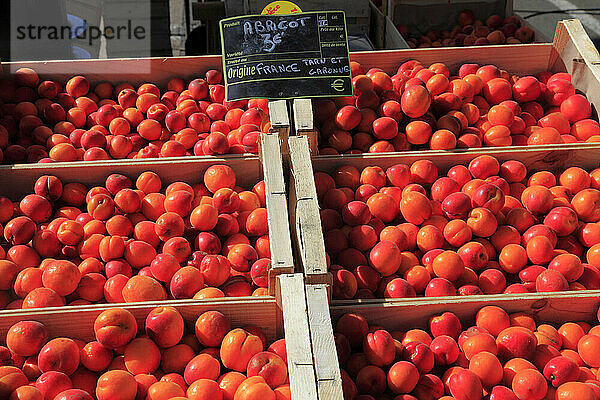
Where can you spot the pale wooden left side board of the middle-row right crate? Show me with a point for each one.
(304, 210)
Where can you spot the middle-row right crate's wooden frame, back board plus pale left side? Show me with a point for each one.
(304, 206)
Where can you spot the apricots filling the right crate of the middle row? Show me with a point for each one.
(485, 228)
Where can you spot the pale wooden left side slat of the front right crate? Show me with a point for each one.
(329, 380)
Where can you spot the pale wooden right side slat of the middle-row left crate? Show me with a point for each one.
(282, 261)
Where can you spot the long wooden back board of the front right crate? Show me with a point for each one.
(414, 313)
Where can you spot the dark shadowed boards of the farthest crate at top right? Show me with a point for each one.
(421, 16)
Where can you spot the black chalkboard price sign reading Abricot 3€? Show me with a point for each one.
(286, 56)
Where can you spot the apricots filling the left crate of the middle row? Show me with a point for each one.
(129, 241)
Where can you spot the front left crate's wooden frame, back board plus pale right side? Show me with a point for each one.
(284, 316)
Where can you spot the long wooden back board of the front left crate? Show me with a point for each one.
(78, 321)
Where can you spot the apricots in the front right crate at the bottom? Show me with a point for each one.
(500, 357)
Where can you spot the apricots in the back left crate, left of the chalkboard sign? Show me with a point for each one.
(50, 121)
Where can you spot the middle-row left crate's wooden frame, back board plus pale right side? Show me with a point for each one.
(18, 180)
